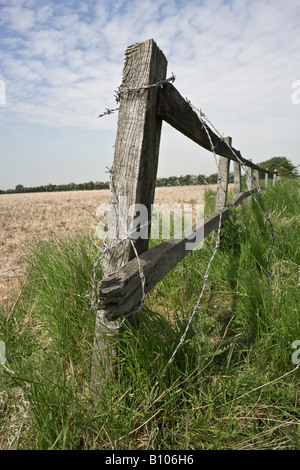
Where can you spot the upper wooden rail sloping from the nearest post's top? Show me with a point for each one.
(177, 112)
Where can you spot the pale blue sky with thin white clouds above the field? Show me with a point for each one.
(60, 62)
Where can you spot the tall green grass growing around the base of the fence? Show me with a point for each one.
(231, 385)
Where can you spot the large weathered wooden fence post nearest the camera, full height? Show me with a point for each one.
(133, 178)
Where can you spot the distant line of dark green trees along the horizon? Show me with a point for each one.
(281, 164)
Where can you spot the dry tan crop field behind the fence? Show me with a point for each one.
(27, 218)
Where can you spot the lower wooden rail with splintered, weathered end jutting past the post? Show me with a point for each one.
(121, 291)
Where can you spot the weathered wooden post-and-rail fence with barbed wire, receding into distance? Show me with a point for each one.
(130, 270)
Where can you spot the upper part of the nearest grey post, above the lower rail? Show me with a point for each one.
(137, 146)
